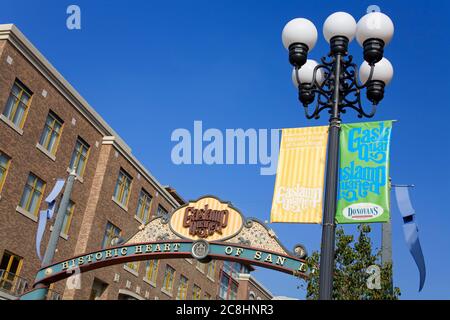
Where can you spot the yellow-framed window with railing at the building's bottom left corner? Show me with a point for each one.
(10, 266)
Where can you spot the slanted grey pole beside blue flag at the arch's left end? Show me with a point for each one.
(40, 292)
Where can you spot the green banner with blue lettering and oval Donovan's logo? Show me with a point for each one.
(363, 191)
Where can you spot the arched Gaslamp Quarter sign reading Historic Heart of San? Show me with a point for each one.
(204, 229)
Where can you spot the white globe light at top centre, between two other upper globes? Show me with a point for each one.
(339, 24)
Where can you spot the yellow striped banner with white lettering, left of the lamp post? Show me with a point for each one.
(298, 194)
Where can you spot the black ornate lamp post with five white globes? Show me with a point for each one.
(333, 85)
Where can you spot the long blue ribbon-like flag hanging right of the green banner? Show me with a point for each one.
(410, 229)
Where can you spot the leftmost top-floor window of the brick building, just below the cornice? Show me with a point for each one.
(18, 104)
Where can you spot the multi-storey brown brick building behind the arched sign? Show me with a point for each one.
(47, 129)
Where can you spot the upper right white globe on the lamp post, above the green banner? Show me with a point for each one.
(375, 25)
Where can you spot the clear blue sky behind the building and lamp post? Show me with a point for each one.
(149, 67)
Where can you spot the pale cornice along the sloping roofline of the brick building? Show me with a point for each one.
(11, 33)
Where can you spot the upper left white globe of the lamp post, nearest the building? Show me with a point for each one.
(299, 30)
